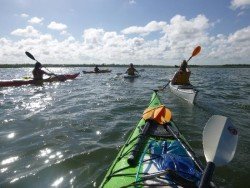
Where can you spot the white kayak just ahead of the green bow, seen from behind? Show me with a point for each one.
(186, 92)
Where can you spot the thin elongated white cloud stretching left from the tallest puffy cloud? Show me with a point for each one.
(150, 27)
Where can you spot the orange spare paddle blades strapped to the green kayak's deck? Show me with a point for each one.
(160, 114)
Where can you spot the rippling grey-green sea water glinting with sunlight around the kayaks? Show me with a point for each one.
(67, 134)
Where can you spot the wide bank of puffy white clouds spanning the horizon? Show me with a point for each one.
(175, 41)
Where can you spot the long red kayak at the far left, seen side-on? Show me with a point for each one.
(20, 82)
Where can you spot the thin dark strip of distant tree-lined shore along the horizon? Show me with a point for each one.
(115, 65)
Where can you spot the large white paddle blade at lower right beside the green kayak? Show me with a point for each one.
(220, 139)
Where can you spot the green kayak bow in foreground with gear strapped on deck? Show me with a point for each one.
(155, 154)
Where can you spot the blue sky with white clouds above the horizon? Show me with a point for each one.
(151, 32)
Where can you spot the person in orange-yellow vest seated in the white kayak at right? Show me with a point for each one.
(181, 77)
